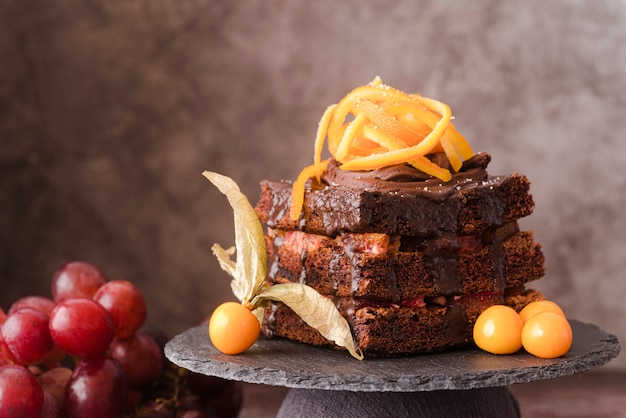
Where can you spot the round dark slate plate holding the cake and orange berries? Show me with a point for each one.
(295, 365)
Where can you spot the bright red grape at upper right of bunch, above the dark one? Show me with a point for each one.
(126, 305)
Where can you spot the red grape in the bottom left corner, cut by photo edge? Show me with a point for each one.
(20, 393)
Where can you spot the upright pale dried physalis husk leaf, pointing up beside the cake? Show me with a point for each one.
(249, 270)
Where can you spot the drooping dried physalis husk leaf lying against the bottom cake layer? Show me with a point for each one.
(316, 310)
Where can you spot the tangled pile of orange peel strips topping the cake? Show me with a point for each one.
(375, 126)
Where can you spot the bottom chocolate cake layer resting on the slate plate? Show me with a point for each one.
(384, 331)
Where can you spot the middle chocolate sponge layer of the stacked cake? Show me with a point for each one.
(377, 267)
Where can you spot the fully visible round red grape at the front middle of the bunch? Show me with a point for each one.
(81, 327)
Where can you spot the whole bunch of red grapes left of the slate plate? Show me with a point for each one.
(87, 352)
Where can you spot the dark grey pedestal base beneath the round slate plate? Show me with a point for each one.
(484, 402)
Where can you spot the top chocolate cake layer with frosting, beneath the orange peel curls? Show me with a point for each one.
(400, 205)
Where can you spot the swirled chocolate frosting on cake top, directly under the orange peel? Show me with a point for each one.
(407, 179)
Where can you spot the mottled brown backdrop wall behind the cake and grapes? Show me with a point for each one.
(110, 111)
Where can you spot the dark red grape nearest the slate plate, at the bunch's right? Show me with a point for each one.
(141, 358)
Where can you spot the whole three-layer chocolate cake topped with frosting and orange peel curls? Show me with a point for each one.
(409, 254)
